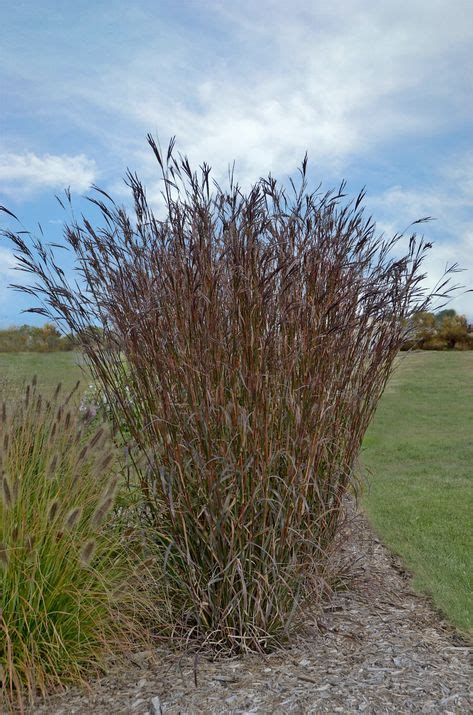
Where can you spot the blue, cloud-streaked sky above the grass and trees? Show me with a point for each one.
(378, 93)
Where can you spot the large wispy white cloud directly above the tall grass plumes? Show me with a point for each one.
(335, 80)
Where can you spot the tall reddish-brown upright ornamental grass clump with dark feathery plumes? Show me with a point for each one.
(243, 339)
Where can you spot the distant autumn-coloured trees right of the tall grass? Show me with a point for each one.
(446, 330)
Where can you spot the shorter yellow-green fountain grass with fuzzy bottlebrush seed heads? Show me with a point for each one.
(67, 588)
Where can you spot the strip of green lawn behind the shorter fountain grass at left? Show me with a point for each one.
(50, 369)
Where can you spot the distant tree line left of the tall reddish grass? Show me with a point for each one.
(29, 338)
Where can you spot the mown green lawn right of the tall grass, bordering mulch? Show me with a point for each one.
(419, 452)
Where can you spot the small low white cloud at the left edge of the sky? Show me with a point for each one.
(26, 173)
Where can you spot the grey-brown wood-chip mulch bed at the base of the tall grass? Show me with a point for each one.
(376, 647)
